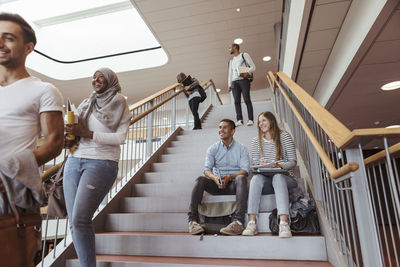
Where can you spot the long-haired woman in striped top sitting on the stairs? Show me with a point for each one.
(272, 145)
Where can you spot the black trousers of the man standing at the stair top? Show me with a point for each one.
(242, 87)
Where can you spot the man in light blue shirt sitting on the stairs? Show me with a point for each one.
(232, 160)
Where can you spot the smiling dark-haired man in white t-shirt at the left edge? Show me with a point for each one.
(28, 106)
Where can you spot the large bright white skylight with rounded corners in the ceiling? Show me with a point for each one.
(77, 37)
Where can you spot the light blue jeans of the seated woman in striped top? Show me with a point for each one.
(281, 183)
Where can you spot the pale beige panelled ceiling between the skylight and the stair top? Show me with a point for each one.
(196, 35)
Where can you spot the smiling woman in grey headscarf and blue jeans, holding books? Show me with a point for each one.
(92, 168)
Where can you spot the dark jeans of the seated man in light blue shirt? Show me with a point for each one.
(237, 187)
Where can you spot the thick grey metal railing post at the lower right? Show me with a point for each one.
(366, 227)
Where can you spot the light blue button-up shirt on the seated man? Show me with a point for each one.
(227, 160)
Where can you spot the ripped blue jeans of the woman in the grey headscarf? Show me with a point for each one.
(86, 183)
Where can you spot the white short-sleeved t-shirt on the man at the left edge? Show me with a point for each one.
(20, 106)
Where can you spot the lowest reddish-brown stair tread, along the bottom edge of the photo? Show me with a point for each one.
(209, 261)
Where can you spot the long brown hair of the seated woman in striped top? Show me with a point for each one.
(274, 131)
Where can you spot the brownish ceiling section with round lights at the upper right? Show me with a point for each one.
(362, 102)
